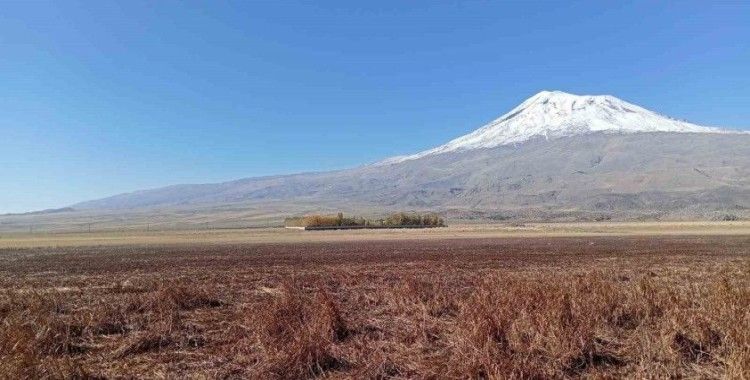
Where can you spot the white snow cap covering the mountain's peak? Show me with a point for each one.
(553, 114)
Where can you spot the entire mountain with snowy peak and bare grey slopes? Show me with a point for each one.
(554, 156)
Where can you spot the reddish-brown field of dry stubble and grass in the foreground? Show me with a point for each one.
(410, 306)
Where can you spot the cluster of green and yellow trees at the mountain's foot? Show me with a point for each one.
(394, 220)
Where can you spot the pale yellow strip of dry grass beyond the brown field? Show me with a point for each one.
(116, 237)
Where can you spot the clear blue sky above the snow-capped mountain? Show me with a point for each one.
(100, 97)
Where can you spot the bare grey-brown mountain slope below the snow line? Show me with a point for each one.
(619, 176)
